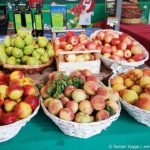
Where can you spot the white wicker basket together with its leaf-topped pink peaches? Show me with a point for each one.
(78, 104)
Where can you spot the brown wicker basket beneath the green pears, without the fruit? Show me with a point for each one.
(30, 69)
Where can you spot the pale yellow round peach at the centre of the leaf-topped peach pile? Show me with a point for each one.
(78, 95)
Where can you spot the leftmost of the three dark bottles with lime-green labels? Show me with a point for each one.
(17, 17)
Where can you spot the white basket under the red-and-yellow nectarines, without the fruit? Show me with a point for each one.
(9, 131)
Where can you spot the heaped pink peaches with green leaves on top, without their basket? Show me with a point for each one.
(79, 97)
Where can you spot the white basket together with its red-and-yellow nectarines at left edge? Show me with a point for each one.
(18, 103)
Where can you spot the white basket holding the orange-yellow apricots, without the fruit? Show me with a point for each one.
(140, 115)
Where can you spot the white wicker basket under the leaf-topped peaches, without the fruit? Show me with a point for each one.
(80, 130)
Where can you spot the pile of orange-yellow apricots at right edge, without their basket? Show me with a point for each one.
(134, 87)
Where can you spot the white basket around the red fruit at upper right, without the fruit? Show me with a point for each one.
(109, 62)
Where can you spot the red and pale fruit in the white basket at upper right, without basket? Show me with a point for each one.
(119, 47)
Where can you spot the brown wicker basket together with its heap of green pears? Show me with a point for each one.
(23, 52)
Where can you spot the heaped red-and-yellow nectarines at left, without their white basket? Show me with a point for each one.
(17, 97)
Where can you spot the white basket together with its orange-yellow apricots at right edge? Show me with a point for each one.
(134, 91)
